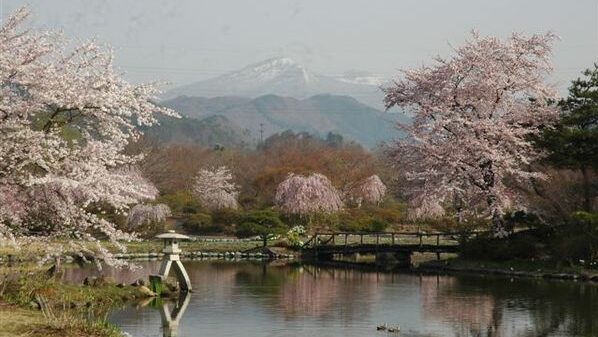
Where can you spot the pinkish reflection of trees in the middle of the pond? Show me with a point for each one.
(301, 291)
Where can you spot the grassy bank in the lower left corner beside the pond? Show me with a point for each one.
(35, 305)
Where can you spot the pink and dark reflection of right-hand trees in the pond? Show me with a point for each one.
(496, 307)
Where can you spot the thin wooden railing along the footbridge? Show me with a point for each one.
(388, 238)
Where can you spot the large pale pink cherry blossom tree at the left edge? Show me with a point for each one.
(65, 119)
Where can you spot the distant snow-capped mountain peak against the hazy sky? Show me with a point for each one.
(284, 77)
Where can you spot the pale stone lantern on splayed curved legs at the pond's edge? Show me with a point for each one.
(172, 259)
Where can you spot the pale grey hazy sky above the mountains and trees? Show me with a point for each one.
(182, 41)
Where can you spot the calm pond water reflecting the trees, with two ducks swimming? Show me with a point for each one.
(254, 299)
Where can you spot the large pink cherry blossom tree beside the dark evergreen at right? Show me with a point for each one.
(474, 114)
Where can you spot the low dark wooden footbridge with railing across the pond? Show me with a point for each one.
(396, 245)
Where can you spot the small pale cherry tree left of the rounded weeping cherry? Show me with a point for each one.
(215, 188)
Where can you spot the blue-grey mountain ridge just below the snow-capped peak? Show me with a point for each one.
(317, 115)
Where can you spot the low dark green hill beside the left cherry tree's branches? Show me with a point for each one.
(208, 131)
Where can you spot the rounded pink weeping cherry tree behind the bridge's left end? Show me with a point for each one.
(306, 195)
